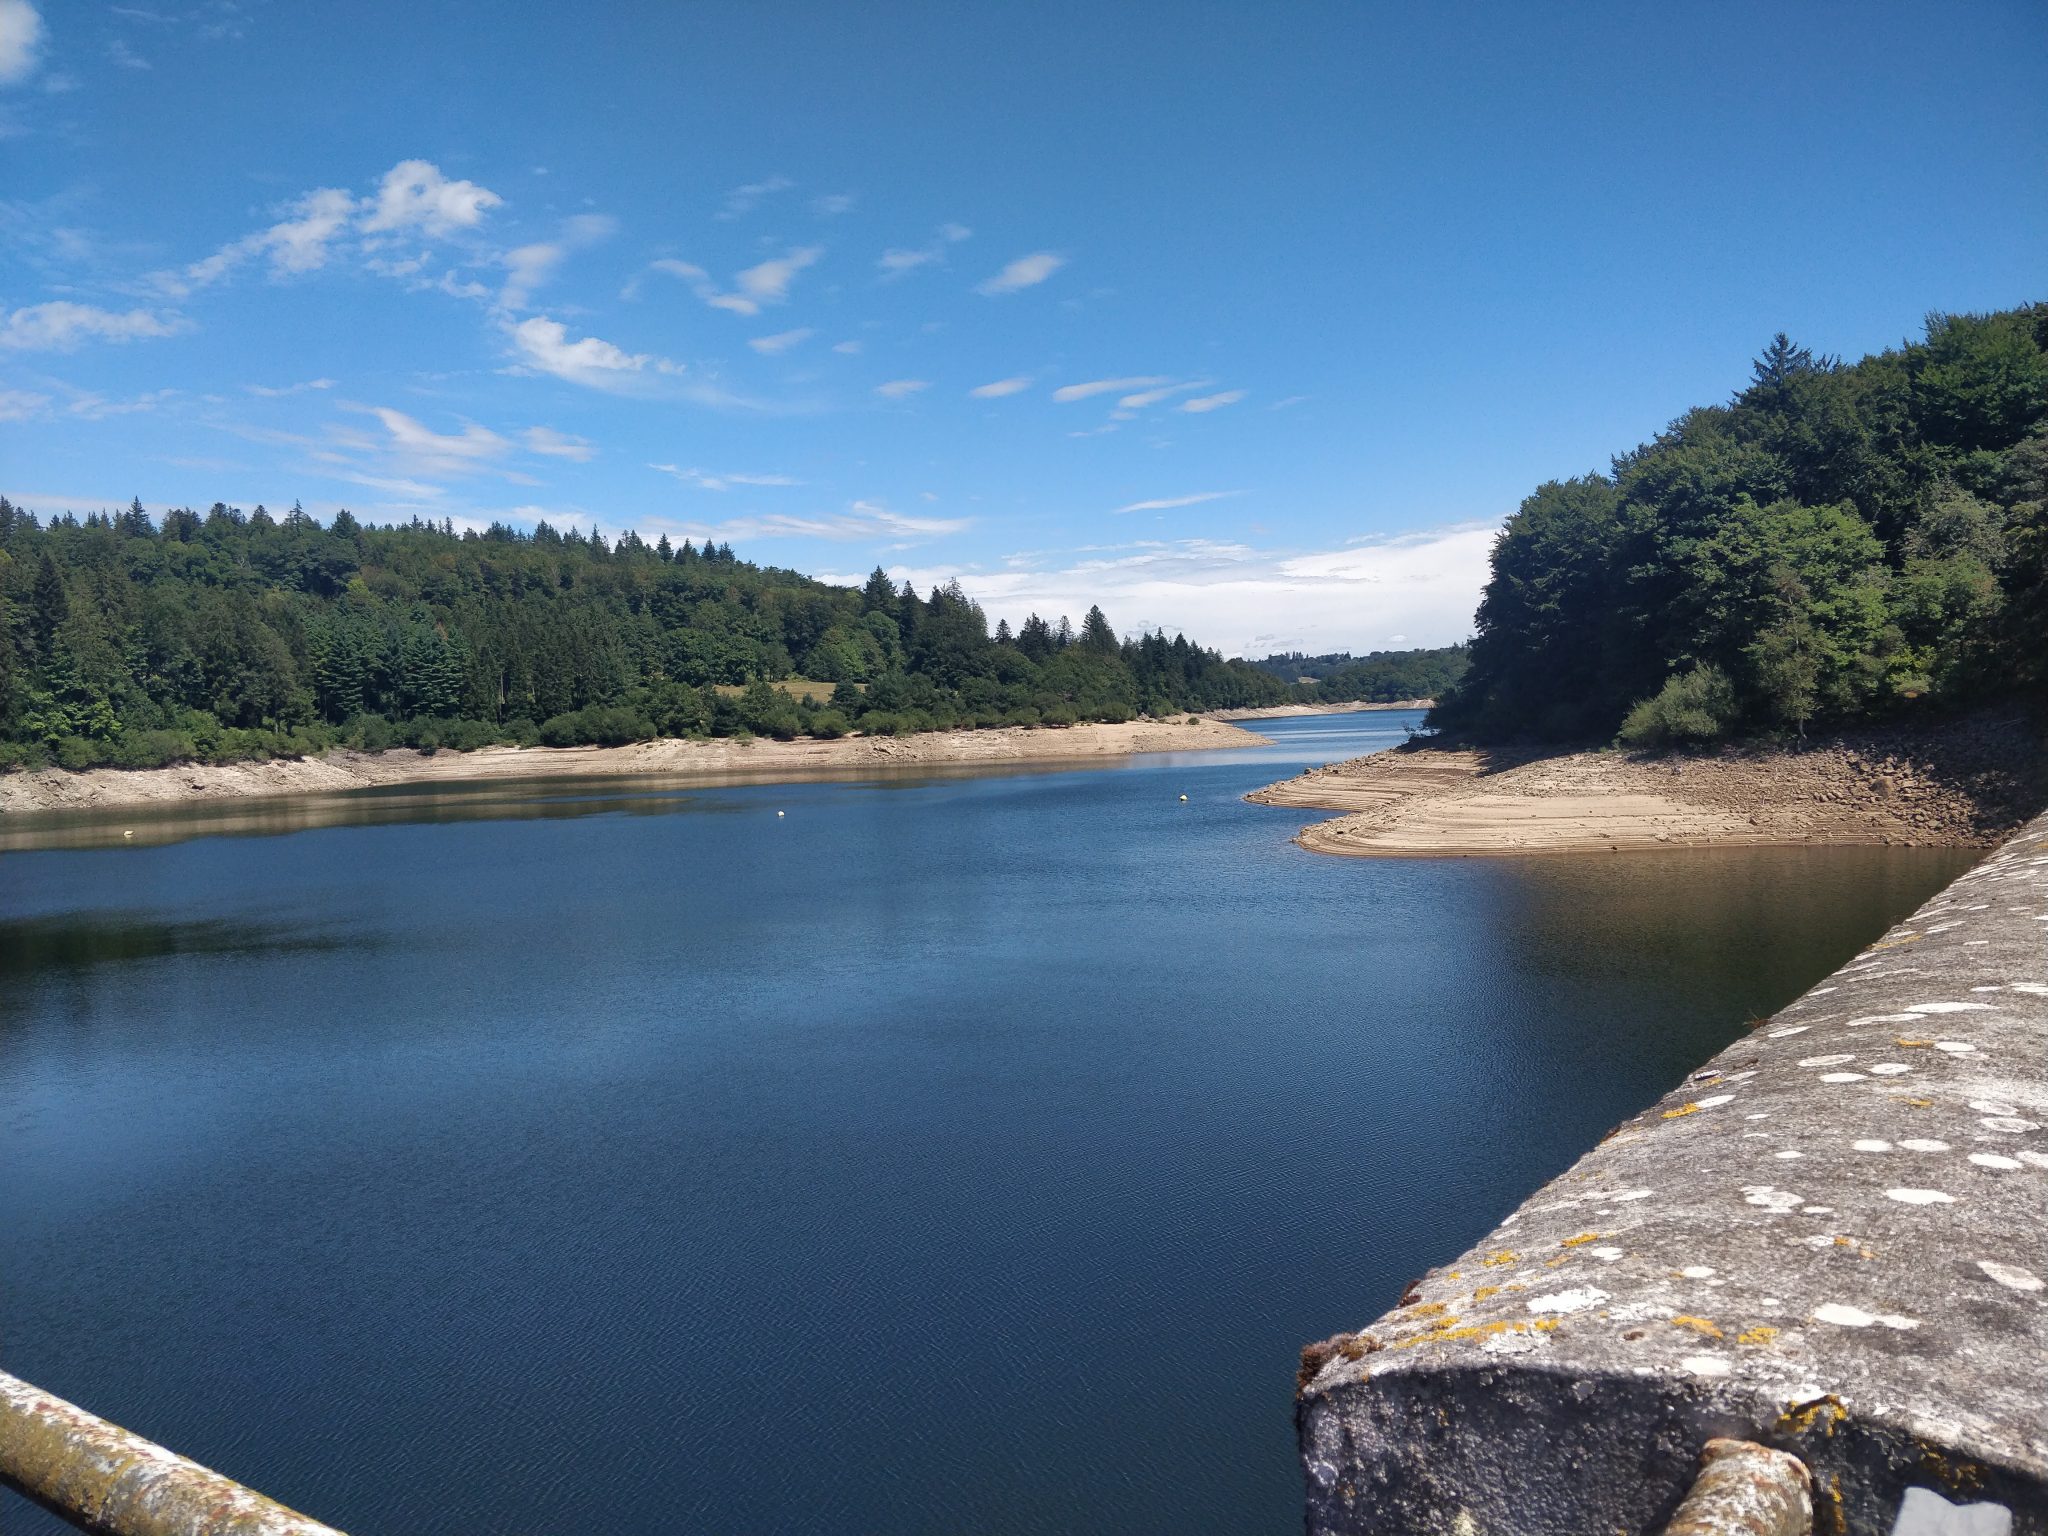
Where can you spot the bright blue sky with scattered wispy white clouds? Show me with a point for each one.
(1250, 321)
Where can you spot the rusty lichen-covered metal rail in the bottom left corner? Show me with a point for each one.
(105, 1480)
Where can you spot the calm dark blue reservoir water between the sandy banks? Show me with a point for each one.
(955, 1154)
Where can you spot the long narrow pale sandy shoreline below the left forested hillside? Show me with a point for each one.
(54, 790)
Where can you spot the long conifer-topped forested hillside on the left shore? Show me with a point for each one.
(134, 642)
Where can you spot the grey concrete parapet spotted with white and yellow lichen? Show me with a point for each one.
(1832, 1240)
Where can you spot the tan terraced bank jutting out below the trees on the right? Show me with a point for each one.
(1959, 785)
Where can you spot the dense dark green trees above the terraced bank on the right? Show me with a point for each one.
(1838, 544)
